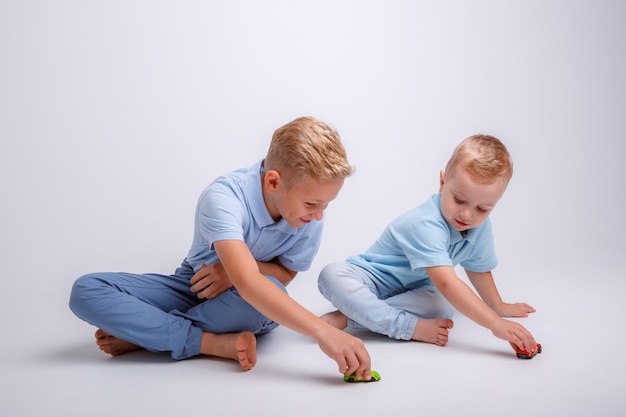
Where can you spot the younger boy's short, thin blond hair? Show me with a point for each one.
(484, 157)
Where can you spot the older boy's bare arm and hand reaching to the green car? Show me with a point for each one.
(346, 350)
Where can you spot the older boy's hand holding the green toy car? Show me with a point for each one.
(348, 351)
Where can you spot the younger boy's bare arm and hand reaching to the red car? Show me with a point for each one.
(461, 296)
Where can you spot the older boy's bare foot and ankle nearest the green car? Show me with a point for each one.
(237, 346)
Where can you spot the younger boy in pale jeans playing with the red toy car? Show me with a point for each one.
(405, 286)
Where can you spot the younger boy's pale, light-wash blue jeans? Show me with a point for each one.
(371, 304)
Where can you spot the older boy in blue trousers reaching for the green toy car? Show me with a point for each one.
(254, 229)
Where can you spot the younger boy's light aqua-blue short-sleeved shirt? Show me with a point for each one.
(422, 238)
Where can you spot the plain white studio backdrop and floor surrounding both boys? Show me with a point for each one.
(114, 115)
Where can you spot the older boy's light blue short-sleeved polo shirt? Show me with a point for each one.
(232, 208)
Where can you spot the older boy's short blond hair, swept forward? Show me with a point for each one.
(307, 148)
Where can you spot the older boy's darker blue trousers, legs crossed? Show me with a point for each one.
(159, 312)
